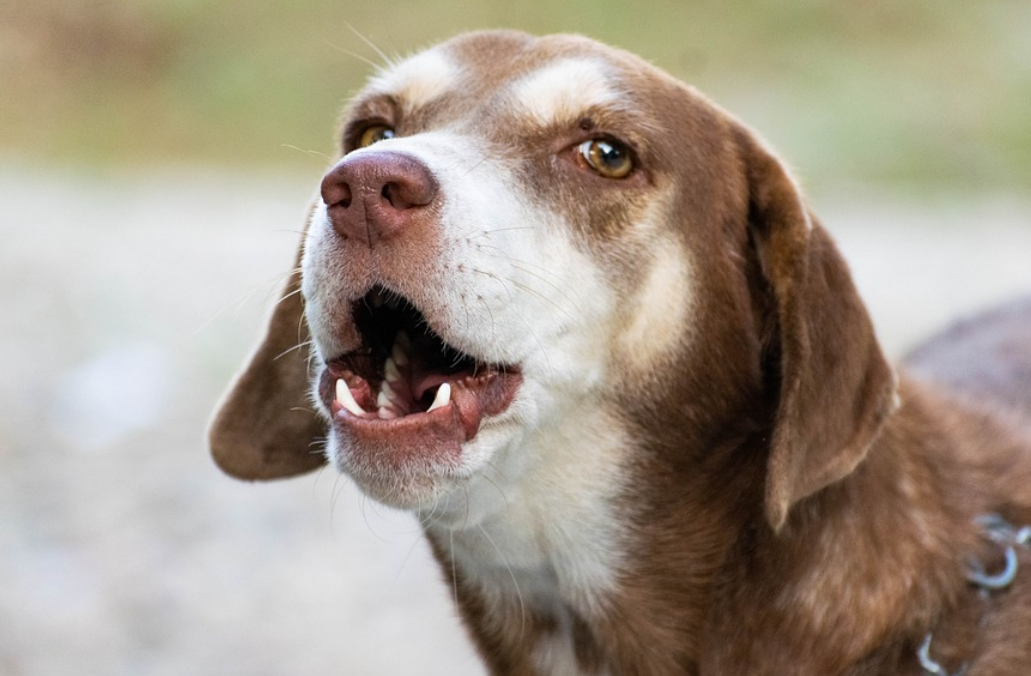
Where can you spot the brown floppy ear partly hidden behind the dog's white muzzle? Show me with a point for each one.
(264, 428)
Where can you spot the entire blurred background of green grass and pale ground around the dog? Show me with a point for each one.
(156, 158)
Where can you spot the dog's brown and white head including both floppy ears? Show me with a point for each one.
(522, 230)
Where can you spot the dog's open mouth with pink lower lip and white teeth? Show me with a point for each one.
(405, 389)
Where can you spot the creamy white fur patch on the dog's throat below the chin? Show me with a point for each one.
(537, 530)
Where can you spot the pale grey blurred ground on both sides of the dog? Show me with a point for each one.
(127, 302)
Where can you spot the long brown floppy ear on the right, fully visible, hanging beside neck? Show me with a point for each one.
(836, 387)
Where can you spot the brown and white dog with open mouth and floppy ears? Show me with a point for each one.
(581, 322)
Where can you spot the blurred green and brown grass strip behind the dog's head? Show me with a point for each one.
(905, 94)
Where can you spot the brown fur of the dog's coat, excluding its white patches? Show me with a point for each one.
(796, 508)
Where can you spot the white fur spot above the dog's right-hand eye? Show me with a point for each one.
(562, 91)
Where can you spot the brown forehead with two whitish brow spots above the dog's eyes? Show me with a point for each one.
(545, 81)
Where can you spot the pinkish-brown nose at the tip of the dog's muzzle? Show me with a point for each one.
(374, 196)
